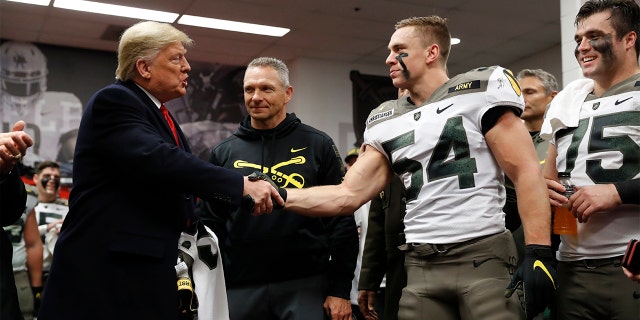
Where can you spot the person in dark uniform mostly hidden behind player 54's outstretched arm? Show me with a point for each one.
(382, 276)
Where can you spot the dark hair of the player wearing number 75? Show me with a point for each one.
(625, 16)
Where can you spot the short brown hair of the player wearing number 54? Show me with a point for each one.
(431, 29)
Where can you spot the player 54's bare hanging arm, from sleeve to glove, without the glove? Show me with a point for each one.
(512, 147)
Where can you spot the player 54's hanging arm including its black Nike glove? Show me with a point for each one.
(511, 145)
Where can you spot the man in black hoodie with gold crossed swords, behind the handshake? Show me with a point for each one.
(282, 265)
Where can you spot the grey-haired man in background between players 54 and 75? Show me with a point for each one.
(538, 89)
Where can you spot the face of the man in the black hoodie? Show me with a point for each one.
(265, 97)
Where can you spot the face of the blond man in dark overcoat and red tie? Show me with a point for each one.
(167, 72)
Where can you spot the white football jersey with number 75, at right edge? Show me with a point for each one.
(603, 148)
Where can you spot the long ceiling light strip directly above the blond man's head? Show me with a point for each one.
(116, 10)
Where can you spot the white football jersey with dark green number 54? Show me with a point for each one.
(455, 188)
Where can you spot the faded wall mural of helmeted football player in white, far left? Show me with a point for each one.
(48, 114)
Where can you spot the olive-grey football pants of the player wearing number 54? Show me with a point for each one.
(465, 281)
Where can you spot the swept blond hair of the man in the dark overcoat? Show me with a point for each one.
(144, 40)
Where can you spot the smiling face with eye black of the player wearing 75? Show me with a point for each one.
(598, 50)
